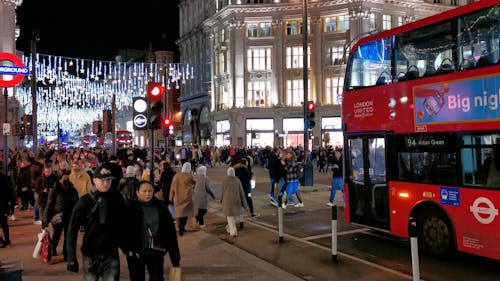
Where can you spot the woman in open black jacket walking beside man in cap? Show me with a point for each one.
(150, 234)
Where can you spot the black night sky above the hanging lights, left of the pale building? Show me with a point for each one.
(97, 29)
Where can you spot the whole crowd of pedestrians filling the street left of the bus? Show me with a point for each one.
(105, 195)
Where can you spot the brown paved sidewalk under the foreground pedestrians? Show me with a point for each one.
(203, 257)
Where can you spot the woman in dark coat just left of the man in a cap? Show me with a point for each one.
(61, 200)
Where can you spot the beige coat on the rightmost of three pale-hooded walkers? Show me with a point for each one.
(232, 197)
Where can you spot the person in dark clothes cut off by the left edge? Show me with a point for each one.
(6, 200)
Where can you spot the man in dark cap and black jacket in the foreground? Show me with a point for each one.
(100, 212)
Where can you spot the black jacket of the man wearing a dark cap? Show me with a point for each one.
(98, 239)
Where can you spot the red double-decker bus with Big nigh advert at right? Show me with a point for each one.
(421, 119)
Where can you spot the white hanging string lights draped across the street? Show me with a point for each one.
(73, 92)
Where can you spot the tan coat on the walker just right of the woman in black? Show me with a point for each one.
(181, 193)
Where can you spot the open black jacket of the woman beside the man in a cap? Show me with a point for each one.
(166, 237)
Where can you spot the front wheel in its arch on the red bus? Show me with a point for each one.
(435, 232)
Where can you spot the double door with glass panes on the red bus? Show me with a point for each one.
(366, 180)
